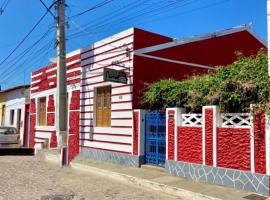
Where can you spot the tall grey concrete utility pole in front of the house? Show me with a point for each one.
(61, 91)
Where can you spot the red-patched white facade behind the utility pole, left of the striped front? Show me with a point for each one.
(43, 102)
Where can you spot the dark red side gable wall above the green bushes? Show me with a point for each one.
(207, 52)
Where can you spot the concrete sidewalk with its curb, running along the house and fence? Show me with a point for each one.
(157, 179)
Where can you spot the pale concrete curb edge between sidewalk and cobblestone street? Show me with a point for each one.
(185, 194)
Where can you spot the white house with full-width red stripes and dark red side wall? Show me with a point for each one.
(108, 124)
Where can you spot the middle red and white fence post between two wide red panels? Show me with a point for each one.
(211, 120)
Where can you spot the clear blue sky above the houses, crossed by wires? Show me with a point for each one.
(174, 18)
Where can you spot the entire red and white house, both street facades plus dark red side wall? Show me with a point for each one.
(103, 121)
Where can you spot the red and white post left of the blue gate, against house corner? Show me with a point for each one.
(138, 132)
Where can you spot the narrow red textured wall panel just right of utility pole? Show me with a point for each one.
(73, 140)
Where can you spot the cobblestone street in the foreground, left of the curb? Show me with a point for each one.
(29, 178)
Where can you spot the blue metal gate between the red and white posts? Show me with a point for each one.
(155, 138)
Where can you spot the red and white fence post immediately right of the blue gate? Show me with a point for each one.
(173, 120)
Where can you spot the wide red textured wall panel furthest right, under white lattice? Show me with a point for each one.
(233, 148)
